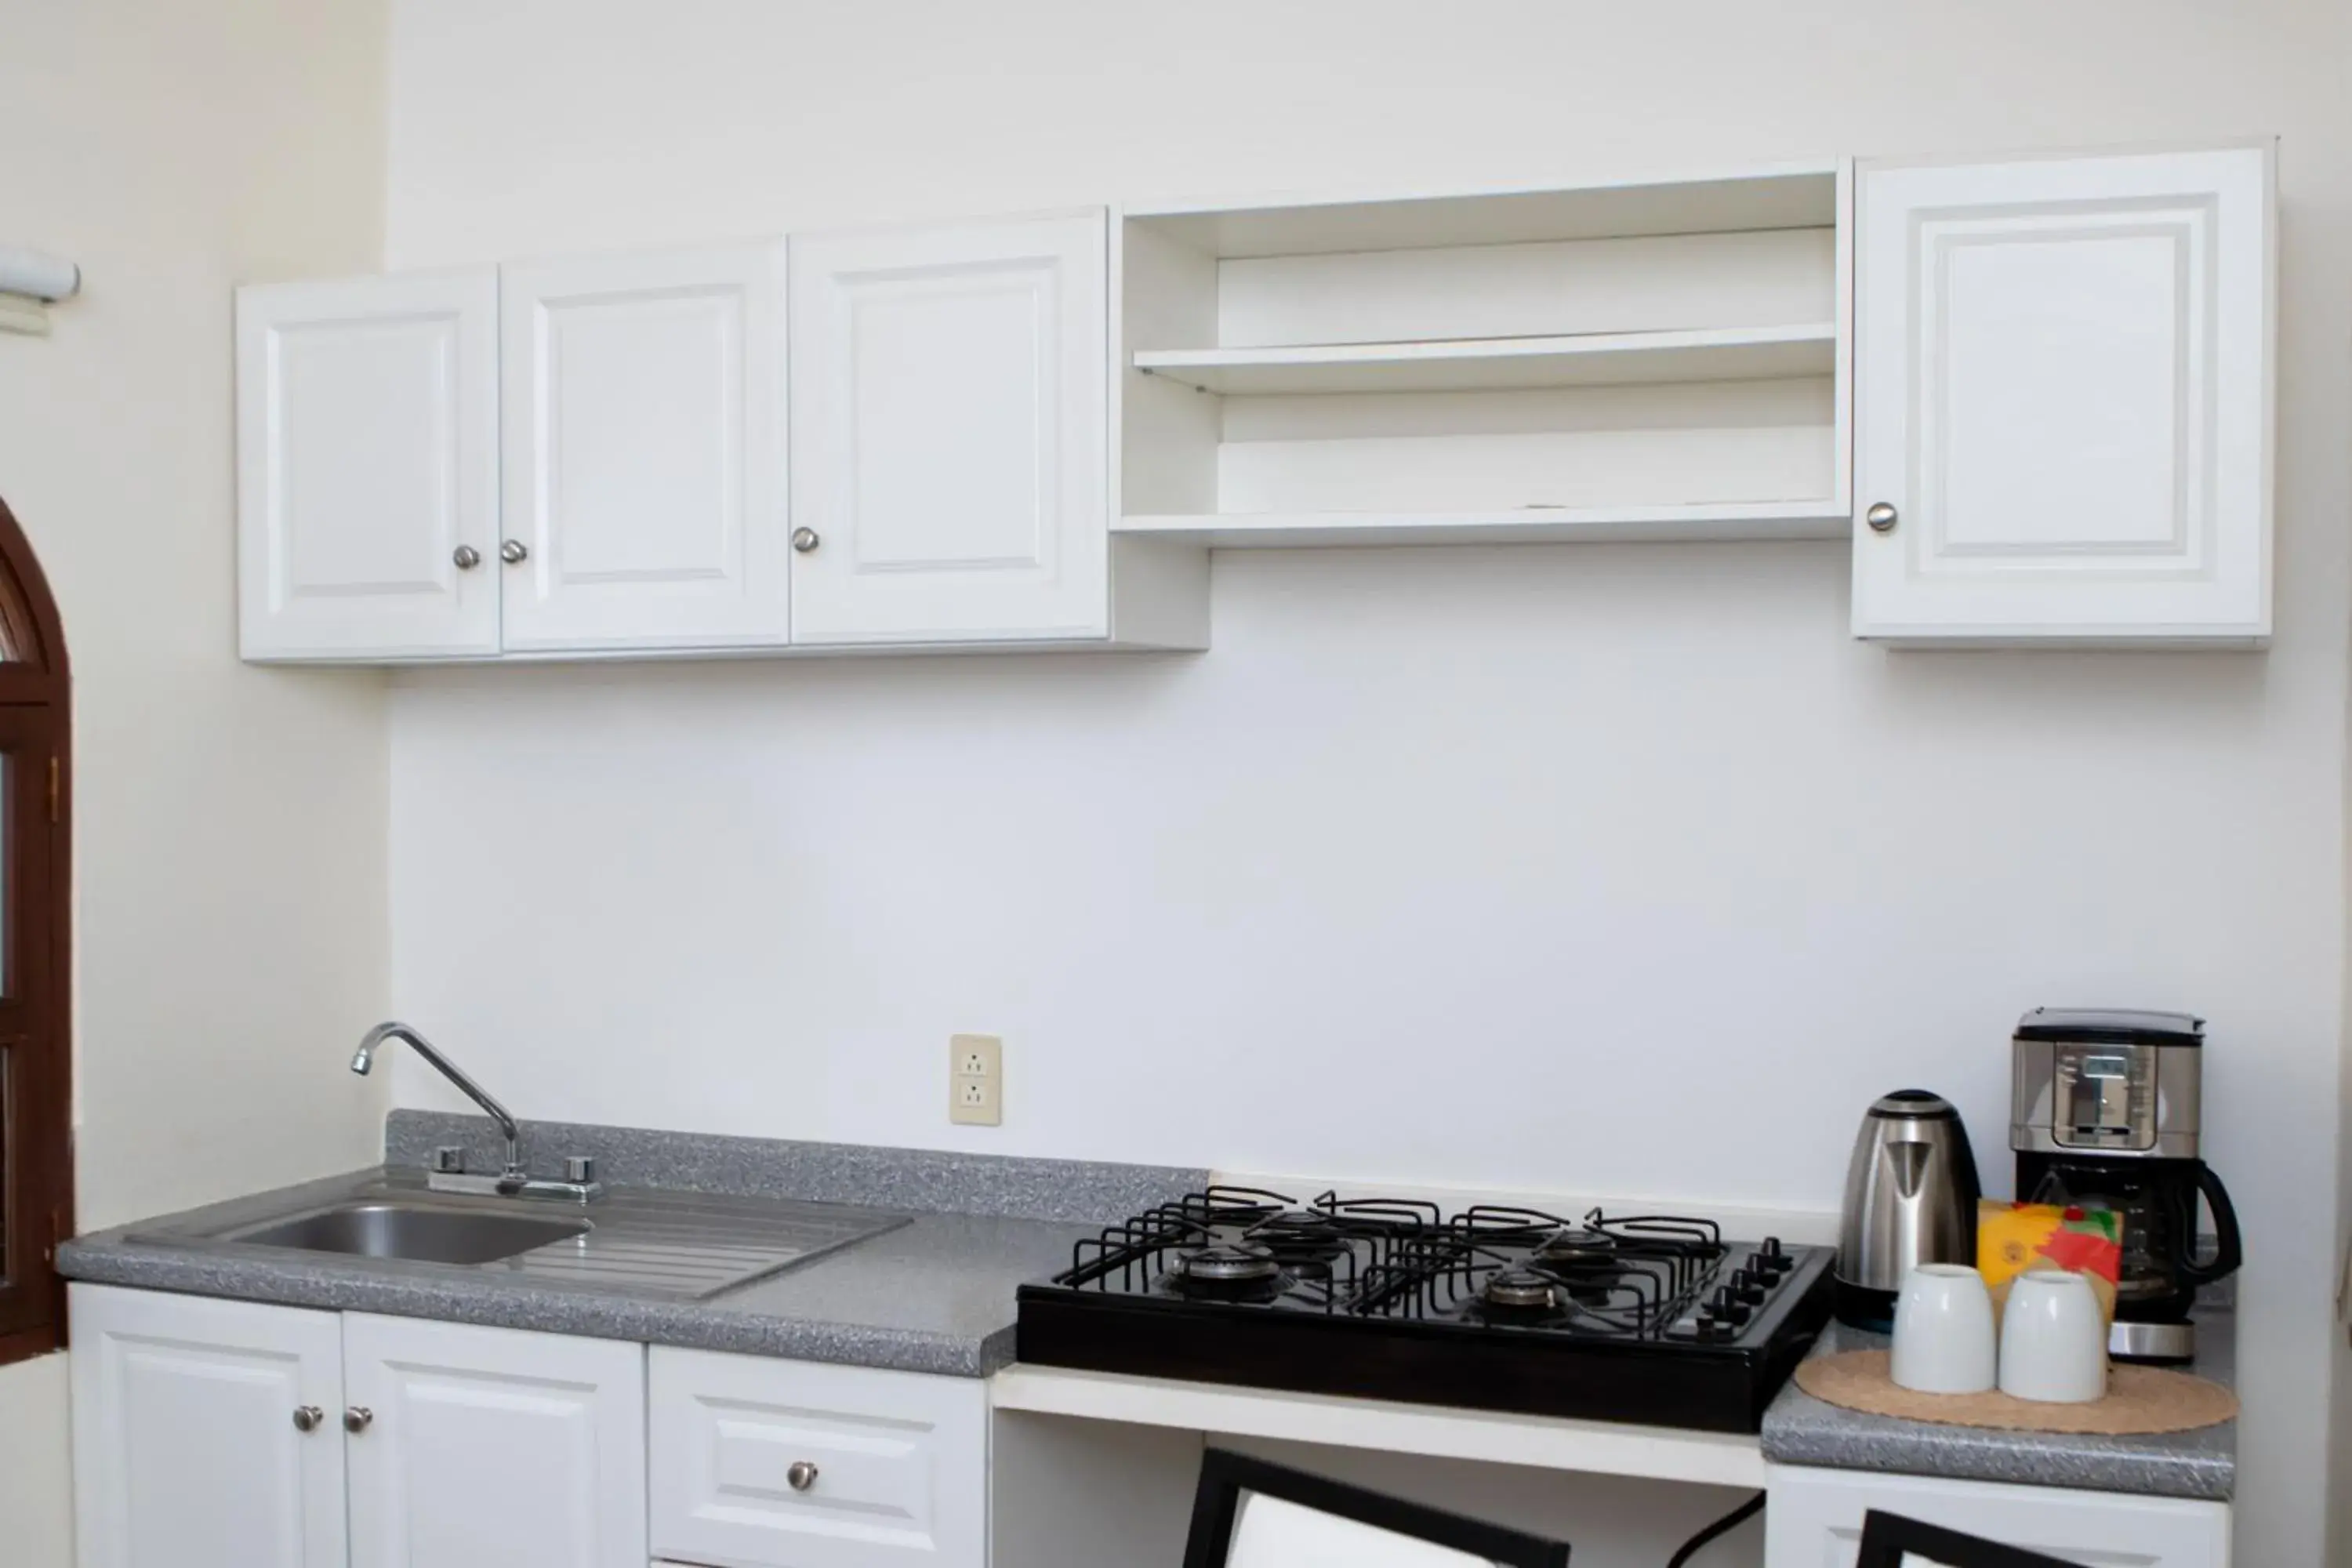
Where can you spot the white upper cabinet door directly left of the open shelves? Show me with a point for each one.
(949, 434)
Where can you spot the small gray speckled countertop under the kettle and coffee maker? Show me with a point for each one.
(1803, 1430)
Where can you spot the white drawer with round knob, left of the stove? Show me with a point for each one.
(897, 1466)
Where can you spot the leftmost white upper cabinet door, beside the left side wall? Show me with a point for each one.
(368, 467)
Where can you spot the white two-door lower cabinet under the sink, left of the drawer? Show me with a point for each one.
(234, 1435)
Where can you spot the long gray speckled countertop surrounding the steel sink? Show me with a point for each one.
(930, 1296)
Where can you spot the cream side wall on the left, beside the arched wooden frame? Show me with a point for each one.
(229, 852)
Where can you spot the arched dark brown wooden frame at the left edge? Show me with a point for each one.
(36, 960)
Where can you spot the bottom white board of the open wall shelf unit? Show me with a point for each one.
(1530, 525)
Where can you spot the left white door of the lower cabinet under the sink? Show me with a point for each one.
(187, 1449)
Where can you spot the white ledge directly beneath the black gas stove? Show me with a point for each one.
(1612, 1449)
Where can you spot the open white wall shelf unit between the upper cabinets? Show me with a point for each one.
(1612, 363)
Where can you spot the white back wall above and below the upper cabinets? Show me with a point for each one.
(1593, 869)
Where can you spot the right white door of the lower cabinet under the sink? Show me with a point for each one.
(493, 1447)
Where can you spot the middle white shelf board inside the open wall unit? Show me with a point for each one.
(1462, 366)
